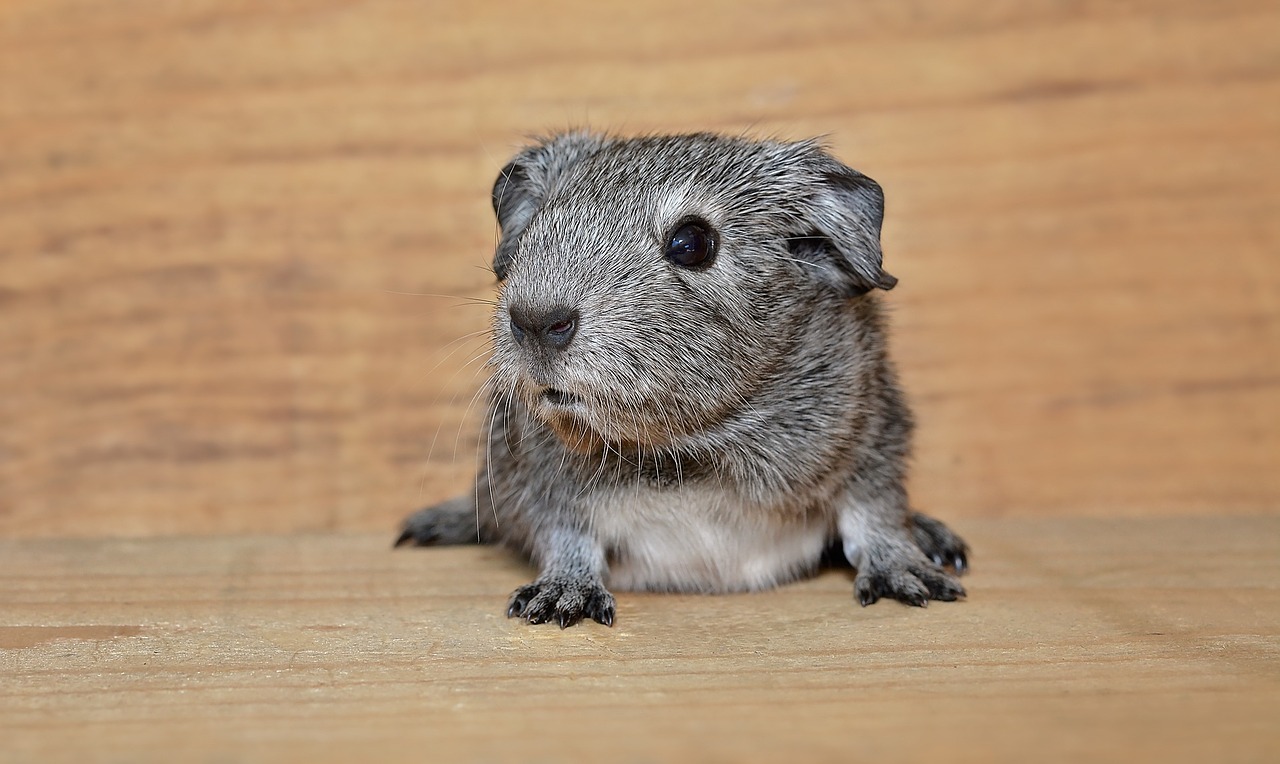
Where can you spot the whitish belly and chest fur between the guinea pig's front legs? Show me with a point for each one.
(702, 541)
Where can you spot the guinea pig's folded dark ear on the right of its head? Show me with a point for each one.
(845, 212)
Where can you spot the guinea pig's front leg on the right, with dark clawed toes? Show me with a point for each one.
(879, 541)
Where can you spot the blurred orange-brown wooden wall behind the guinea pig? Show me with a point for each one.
(225, 226)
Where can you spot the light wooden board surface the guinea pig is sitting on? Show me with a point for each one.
(1084, 641)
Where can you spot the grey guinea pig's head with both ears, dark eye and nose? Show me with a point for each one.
(653, 287)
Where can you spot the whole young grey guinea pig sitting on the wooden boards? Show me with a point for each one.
(691, 383)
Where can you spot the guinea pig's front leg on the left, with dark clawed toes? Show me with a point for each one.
(570, 587)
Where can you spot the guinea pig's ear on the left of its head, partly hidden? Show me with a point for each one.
(524, 185)
